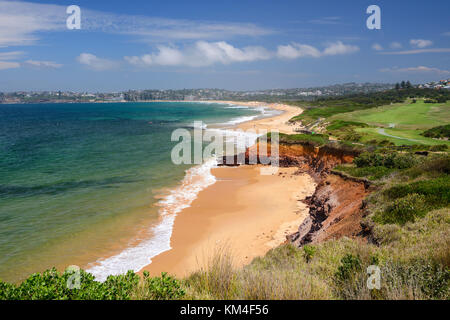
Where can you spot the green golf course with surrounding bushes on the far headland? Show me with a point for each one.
(395, 117)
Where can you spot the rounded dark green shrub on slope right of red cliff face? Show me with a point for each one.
(405, 209)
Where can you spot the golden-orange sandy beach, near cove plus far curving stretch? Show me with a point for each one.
(244, 212)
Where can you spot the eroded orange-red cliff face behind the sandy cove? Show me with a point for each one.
(336, 207)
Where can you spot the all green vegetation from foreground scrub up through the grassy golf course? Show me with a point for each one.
(406, 220)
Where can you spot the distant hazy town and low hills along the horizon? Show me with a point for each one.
(205, 94)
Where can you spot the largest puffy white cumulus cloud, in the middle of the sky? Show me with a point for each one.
(200, 54)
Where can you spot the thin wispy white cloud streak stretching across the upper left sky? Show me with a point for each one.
(21, 23)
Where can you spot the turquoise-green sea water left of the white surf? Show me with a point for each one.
(78, 181)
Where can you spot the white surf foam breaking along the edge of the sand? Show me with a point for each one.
(196, 179)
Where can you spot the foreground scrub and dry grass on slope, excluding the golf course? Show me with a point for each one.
(409, 221)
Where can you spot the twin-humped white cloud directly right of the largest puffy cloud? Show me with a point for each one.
(296, 50)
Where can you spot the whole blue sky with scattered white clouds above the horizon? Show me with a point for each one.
(238, 45)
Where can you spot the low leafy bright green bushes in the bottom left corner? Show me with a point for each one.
(51, 285)
